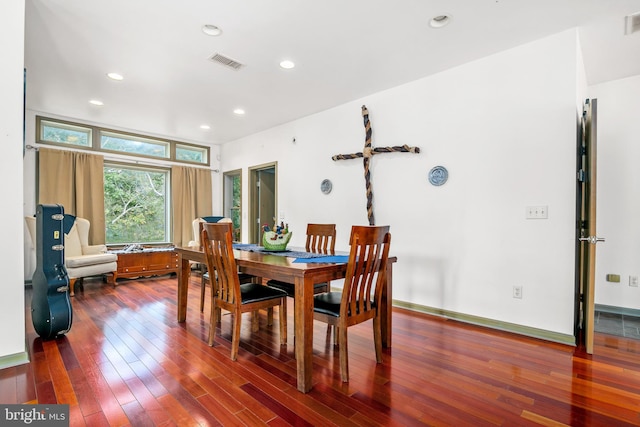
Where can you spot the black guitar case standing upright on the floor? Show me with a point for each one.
(50, 304)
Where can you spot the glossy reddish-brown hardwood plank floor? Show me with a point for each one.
(126, 361)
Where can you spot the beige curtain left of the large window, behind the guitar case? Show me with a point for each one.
(74, 180)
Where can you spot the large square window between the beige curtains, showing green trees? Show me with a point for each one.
(136, 204)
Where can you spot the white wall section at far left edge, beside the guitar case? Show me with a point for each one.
(12, 340)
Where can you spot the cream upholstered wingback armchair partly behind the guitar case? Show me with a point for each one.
(81, 259)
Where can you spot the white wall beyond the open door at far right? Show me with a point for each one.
(618, 206)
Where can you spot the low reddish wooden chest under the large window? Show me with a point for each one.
(148, 262)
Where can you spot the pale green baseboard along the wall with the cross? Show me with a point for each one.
(490, 323)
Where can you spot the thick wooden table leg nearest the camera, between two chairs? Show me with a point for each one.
(303, 320)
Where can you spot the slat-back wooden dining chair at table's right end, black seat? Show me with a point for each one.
(359, 299)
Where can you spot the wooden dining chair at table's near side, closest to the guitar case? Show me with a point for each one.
(227, 292)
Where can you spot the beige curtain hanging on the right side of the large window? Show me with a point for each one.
(191, 195)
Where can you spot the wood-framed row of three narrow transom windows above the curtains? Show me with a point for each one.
(58, 132)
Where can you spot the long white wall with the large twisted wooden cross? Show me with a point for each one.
(505, 128)
